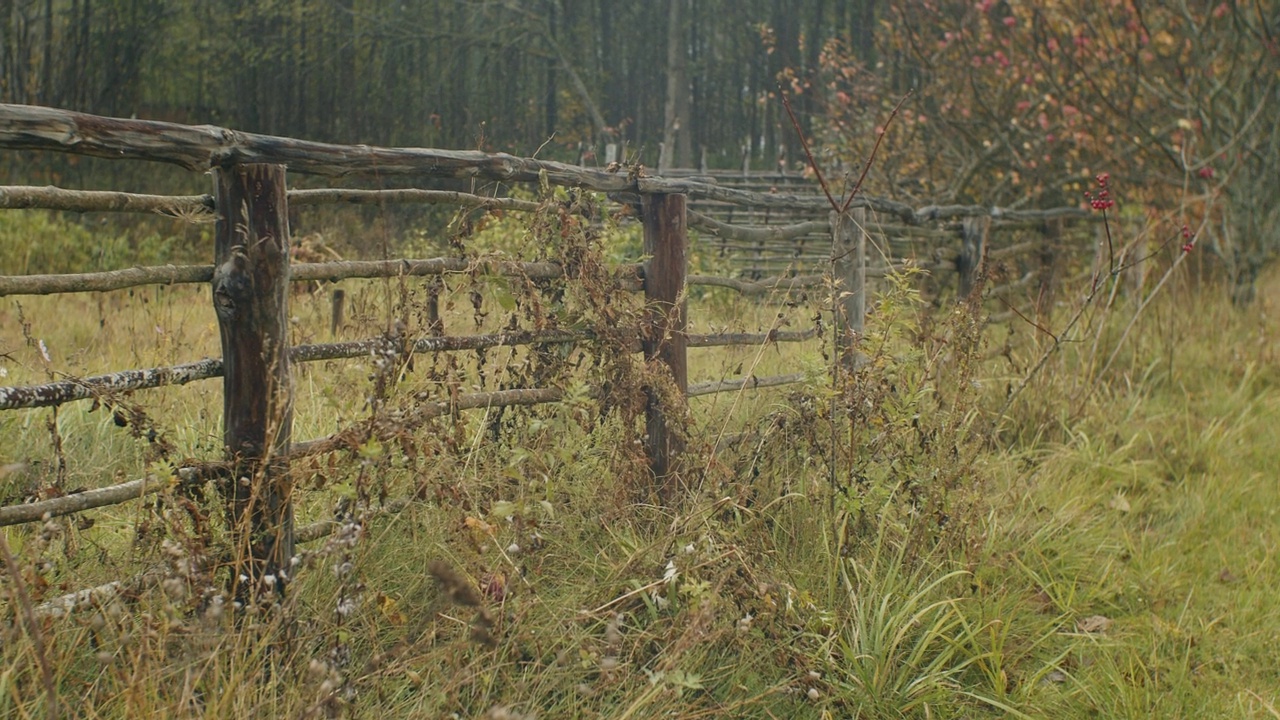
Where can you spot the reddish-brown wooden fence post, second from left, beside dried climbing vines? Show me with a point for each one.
(666, 241)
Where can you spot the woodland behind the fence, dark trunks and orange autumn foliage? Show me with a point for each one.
(1007, 103)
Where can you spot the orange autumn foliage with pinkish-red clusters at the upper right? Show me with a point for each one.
(1017, 103)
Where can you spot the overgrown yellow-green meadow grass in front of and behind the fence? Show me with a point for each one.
(1110, 553)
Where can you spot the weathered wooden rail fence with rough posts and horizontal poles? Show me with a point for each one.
(252, 271)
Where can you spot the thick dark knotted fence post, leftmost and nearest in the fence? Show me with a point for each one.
(252, 279)
